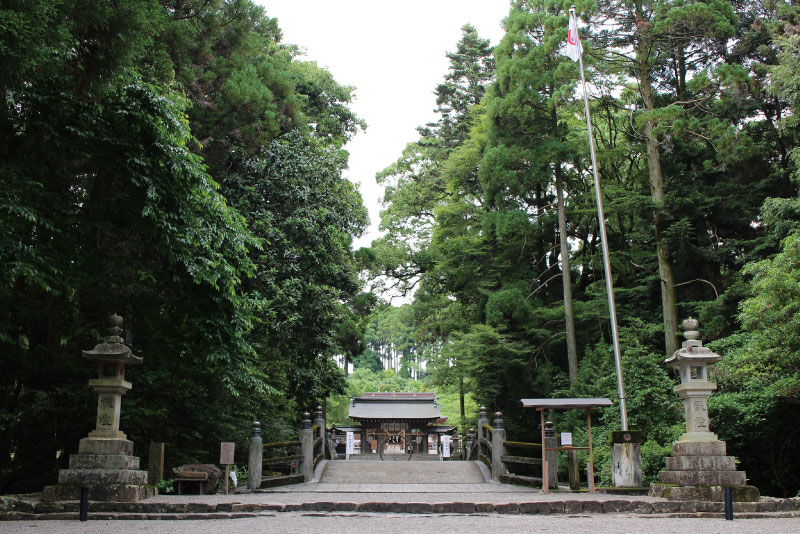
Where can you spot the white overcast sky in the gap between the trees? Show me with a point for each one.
(394, 55)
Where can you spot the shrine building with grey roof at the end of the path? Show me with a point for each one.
(396, 423)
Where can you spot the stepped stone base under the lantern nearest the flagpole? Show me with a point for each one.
(699, 471)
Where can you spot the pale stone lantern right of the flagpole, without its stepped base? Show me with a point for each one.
(692, 361)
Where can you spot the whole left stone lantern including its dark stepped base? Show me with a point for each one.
(105, 463)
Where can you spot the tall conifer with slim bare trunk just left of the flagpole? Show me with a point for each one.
(534, 82)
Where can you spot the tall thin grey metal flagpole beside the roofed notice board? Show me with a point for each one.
(612, 309)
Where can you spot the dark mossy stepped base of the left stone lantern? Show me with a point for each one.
(108, 468)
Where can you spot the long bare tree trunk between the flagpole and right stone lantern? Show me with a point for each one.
(669, 303)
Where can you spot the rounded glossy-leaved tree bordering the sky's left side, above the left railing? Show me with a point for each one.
(307, 268)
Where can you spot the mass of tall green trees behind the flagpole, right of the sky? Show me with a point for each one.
(694, 108)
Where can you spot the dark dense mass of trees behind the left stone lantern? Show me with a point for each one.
(176, 163)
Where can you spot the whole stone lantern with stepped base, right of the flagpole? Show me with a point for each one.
(699, 469)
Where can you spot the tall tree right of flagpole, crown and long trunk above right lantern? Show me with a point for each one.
(667, 42)
